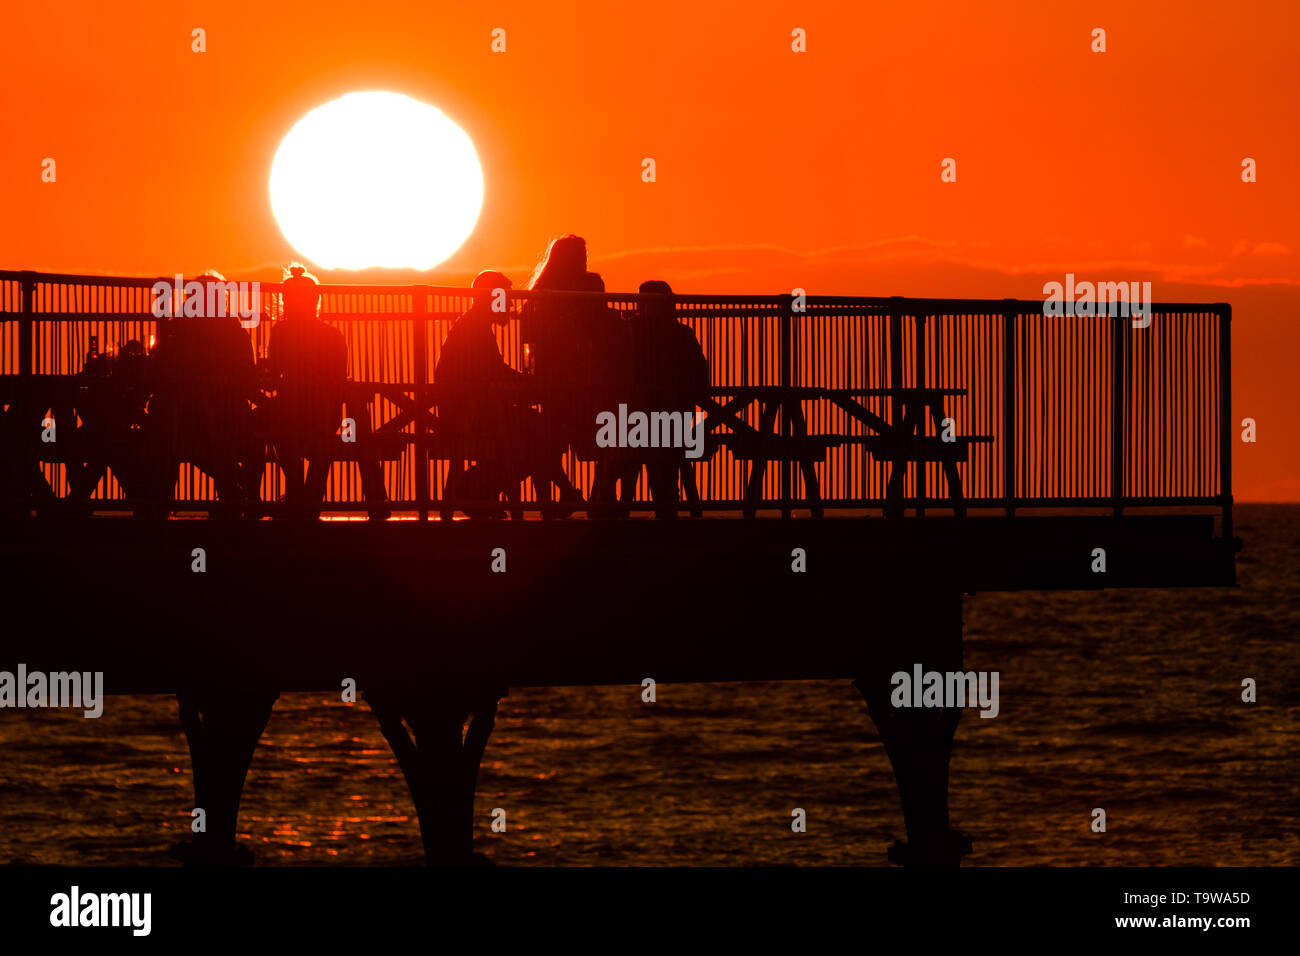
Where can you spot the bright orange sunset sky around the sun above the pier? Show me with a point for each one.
(774, 170)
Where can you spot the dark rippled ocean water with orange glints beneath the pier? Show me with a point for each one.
(1125, 700)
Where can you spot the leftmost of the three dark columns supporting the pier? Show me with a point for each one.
(223, 728)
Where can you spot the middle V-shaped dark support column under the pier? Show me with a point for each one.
(440, 760)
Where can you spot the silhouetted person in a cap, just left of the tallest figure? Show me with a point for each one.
(480, 410)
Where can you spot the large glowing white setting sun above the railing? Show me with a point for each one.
(376, 180)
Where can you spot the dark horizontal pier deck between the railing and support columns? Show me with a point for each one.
(302, 607)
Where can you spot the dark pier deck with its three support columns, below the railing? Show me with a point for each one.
(434, 635)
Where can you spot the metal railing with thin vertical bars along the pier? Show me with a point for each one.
(1047, 412)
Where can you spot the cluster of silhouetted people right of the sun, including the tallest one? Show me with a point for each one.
(583, 360)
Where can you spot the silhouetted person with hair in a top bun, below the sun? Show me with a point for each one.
(307, 369)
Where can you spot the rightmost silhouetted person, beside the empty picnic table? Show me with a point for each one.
(669, 374)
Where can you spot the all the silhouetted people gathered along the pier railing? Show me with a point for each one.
(201, 397)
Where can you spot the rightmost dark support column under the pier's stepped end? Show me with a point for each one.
(920, 741)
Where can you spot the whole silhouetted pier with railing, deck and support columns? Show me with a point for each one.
(868, 462)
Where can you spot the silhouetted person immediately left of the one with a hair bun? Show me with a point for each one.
(201, 412)
